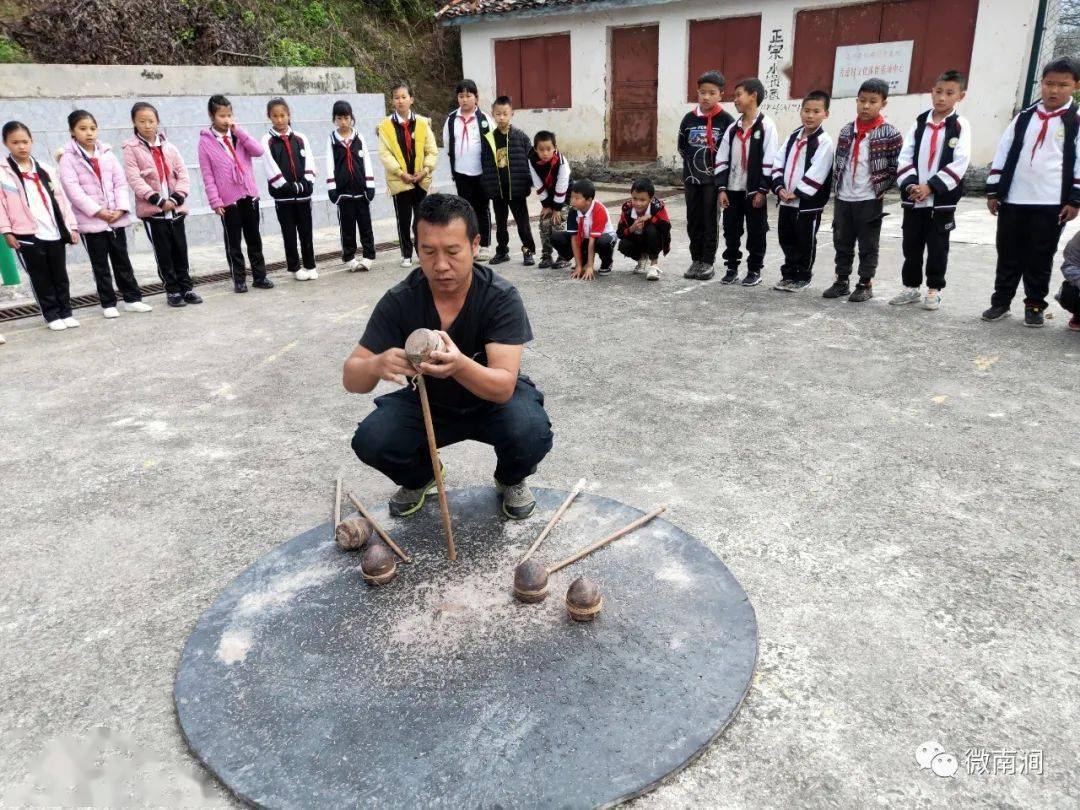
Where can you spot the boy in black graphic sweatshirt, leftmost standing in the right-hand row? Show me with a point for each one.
(699, 136)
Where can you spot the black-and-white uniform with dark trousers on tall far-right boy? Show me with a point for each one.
(1035, 173)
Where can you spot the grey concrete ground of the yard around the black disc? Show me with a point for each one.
(895, 489)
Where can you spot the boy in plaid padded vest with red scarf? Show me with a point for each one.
(868, 157)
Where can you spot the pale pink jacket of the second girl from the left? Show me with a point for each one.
(89, 195)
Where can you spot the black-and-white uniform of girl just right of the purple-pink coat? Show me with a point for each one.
(289, 163)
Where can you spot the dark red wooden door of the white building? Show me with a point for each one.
(633, 114)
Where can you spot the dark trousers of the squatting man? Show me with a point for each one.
(394, 441)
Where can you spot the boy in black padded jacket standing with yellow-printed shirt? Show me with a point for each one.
(508, 181)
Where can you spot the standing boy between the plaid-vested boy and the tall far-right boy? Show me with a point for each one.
(933, 165)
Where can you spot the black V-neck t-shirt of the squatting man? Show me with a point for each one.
(493, 314)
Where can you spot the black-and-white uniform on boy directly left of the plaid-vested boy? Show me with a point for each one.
(805, 168)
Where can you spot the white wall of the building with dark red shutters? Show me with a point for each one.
(1004, 34)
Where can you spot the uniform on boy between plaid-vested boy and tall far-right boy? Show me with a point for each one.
(937, 156)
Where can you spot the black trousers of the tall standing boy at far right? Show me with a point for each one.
(1028, 244)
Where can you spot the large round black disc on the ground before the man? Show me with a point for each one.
(302, 686)
